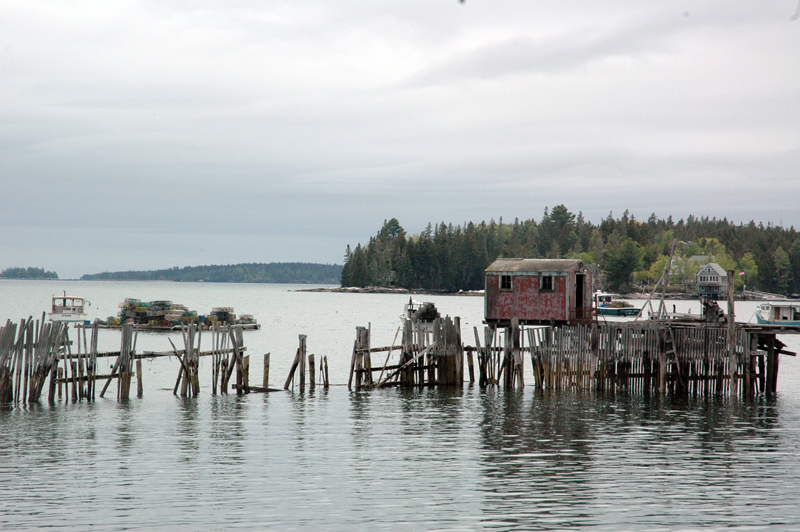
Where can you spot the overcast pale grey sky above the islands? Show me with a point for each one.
(144, 135)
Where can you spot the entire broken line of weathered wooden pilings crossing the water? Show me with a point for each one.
(648, 356)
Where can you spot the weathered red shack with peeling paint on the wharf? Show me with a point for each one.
(538, 291)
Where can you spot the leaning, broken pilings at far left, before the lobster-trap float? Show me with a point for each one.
(36, 350)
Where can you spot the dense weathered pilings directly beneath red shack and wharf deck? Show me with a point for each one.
(650, 356)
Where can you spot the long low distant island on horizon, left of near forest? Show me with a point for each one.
(274, 272)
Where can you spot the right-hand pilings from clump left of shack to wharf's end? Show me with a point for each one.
(648, 356)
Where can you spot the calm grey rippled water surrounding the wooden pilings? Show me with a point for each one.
(390, 459)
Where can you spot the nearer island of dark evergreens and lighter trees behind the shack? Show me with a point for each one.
(630, 253)
